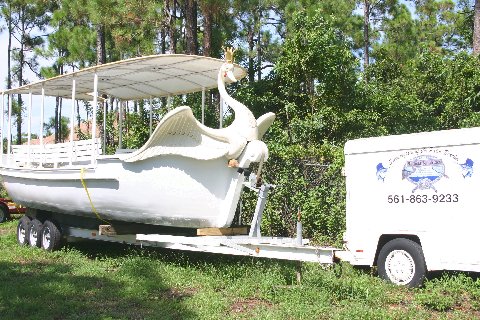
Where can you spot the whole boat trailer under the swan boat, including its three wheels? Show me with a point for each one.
(253, 244)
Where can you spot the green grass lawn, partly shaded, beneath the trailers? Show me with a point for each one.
(96, 280)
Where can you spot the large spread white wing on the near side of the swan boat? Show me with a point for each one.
(179, 133)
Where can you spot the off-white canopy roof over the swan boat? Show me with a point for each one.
(137, 78)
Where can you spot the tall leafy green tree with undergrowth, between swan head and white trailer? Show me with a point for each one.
(312, 90)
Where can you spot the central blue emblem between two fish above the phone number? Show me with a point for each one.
(424, 171)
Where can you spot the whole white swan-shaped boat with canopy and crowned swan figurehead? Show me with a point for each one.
(186, 174)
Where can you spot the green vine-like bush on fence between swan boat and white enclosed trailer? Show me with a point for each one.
(308, 180)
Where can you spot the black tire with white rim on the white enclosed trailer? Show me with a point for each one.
(401, 262)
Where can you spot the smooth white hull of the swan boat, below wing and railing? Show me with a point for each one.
(167, 190)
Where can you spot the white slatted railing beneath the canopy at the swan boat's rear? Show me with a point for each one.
(55, 155)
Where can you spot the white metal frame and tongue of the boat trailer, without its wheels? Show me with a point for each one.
(253, 244)
